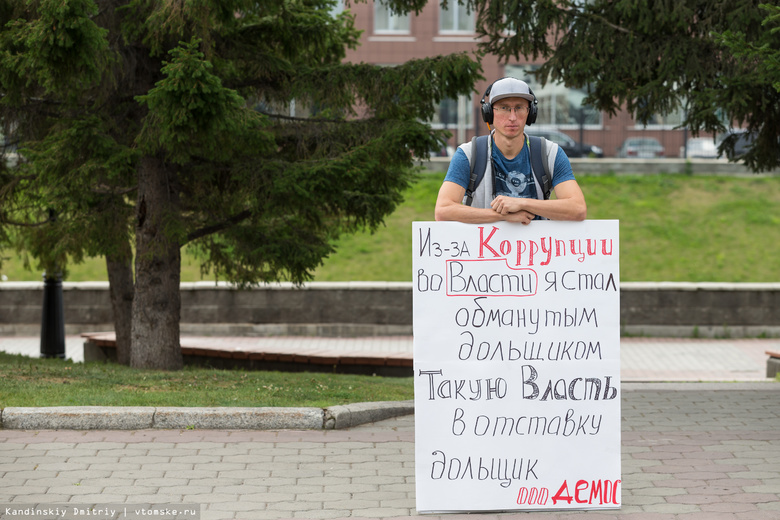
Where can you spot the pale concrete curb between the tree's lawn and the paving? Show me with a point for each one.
(142, 418)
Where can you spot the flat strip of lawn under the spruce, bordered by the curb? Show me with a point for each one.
(53, 382)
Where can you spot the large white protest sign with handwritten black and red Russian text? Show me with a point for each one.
(517, 366)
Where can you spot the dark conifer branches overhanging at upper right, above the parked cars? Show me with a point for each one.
(652, 57)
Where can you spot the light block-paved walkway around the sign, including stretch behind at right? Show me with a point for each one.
(704, 451)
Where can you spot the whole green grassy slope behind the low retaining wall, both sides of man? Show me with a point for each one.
(672, 228)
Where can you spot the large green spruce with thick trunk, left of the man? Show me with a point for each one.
(148, 125)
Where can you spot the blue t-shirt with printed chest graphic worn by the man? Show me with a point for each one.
(512, 177)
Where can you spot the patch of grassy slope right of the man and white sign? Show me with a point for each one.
(692, 229)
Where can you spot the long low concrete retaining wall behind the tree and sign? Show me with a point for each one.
(385, 308)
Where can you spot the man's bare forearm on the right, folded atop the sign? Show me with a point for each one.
(569, 204)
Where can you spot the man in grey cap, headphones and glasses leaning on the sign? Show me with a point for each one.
(509, 190)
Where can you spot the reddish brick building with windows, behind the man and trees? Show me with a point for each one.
(389, 39)
